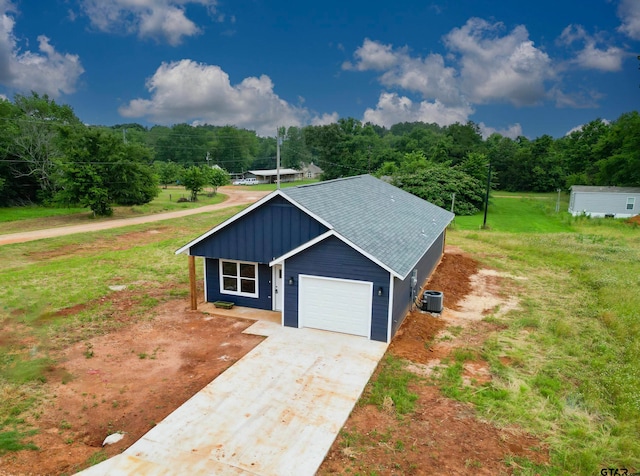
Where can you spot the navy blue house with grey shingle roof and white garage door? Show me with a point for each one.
(345, 255)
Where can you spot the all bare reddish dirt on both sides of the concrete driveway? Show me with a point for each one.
(131, 378)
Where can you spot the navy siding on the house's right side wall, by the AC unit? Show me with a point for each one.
(402, 289)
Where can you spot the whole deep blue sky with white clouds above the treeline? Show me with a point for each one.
(518, 68)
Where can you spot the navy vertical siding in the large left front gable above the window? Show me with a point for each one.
(269, 231)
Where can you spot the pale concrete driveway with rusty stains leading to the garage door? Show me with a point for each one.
(275, 412)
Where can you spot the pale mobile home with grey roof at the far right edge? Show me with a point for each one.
(617, 202)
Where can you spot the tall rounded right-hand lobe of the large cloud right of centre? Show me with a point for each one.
(496, 68)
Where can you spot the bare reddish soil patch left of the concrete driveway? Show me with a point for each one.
(126, 381)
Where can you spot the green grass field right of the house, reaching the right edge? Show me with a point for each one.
(575, 343)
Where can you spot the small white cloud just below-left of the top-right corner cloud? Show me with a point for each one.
(592, 57)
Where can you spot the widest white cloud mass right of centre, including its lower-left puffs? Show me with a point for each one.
(486, 66)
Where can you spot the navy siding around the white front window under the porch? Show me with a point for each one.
(213, 294)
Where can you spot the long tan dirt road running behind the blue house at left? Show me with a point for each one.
(236, 197)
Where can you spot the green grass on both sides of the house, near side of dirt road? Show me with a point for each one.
(574, 343)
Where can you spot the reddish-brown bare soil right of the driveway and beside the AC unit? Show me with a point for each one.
(442, 436)
